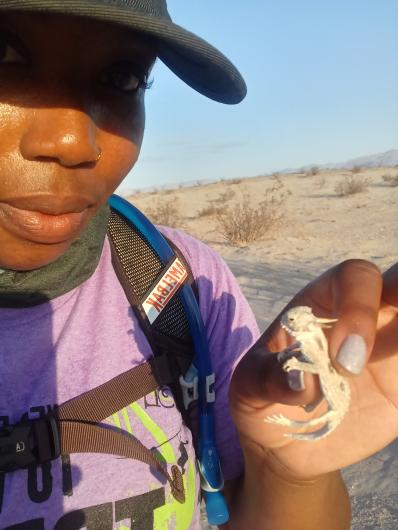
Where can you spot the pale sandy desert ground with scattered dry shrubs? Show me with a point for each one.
(315, 221)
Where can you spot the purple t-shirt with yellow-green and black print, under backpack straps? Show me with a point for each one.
(59, 350)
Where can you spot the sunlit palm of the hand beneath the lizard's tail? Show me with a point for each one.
(370, 424)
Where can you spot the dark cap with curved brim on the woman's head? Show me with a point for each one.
(194, 60)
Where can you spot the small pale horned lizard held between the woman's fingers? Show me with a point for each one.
(306, 328)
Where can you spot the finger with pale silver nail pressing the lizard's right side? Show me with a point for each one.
(356, 287)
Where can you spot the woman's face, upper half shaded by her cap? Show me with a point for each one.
(70, 90)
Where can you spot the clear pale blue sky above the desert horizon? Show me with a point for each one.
(322, 87)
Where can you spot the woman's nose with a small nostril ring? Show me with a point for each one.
(65, 135)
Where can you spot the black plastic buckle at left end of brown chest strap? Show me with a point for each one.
(29, 442)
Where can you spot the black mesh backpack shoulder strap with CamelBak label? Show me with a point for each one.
(152, 287)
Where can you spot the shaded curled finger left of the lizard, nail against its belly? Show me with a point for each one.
(259, 380)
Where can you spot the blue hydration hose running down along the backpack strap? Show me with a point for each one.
(212, 481)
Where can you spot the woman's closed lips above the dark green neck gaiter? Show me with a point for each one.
(45, 219)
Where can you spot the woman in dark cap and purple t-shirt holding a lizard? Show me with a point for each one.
(72, 81)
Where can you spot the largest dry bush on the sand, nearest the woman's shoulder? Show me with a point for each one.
(245, 221)
